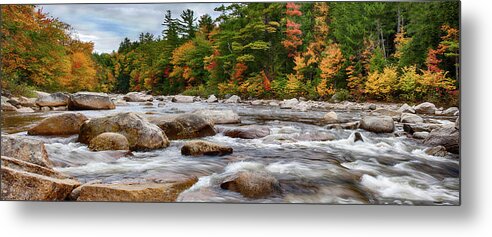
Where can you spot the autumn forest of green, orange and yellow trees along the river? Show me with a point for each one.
(359, 51)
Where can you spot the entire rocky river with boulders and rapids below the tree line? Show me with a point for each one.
(139, 147)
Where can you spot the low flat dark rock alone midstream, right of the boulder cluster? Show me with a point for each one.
(198, 148)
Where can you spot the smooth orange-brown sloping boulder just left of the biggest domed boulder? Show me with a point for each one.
(63, 124)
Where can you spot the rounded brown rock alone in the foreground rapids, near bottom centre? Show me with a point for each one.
(252, 184)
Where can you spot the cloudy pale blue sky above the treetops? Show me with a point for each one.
(108, 24)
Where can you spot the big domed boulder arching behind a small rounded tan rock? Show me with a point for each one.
(141, 134)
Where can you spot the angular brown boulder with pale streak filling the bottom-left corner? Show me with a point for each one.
(26, 181)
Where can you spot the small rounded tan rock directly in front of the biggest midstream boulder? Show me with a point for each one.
(109, 141)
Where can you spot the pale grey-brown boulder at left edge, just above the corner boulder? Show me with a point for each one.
(22, 148)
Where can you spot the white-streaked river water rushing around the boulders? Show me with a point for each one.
(381, 169)
